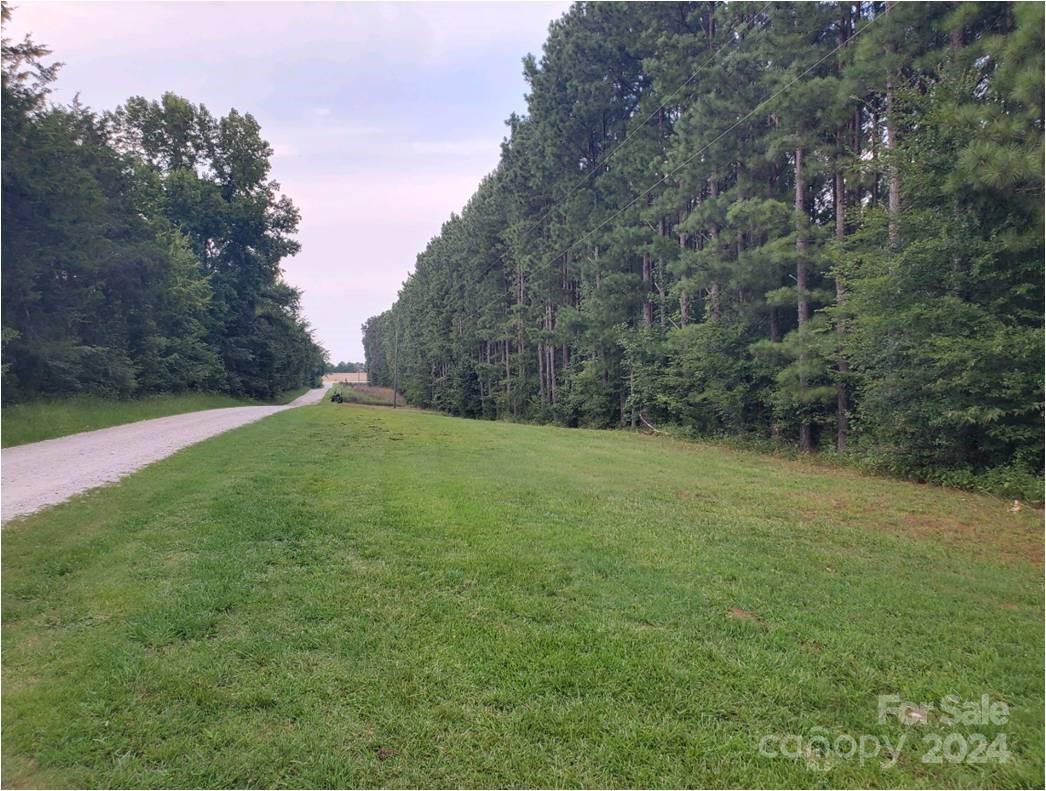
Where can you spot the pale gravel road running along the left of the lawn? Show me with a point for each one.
(41, 474)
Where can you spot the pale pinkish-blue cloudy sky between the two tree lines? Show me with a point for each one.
(383, 117)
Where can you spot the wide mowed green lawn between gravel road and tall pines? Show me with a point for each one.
(351, 596)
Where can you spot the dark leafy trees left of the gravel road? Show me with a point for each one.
(142, 248)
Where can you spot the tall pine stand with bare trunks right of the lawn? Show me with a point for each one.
(821, 224)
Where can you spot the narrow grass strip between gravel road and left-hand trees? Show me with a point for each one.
(44, 420)
